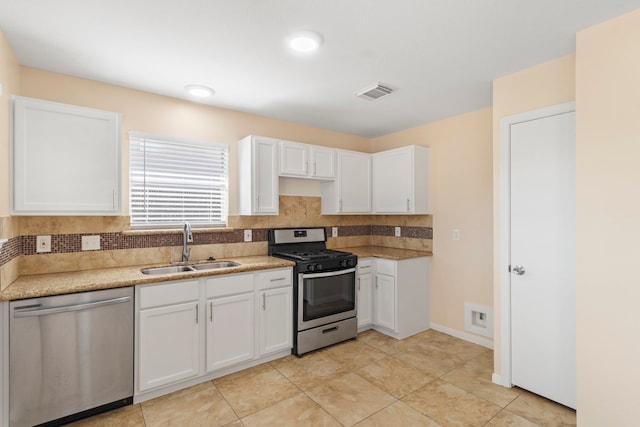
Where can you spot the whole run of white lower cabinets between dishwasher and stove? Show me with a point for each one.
(190, 331)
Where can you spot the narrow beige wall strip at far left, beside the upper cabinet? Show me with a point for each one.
(10, 81)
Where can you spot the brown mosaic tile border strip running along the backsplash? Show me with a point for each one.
(69, 243)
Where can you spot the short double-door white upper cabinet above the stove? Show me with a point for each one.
(306, 161)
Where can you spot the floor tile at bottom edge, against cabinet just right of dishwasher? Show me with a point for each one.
(201, 405)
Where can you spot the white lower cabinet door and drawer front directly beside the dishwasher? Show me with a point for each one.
(168, 334)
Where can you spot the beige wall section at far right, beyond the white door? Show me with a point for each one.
(608, 206)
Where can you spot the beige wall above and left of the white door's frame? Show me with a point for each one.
(540, 86)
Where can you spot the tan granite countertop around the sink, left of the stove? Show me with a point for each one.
(39, 285)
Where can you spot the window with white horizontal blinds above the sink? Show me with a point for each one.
(173, 180)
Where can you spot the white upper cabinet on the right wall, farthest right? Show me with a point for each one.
(401, 181)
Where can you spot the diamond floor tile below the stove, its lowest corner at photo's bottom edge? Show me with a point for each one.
(350, 398)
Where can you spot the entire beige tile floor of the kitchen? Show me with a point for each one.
(430, 379)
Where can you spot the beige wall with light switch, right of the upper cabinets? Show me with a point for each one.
(460, 191)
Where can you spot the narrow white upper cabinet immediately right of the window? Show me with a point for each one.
(258, 176)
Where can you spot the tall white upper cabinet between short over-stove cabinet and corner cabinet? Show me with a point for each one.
(351, 191)
